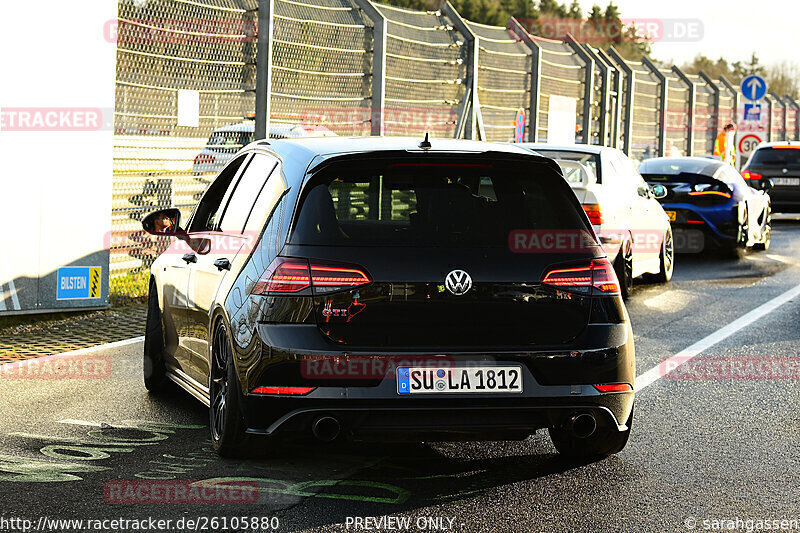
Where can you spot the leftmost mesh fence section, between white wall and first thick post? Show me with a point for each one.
(165, 50)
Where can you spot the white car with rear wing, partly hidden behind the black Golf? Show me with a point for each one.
(624, 210)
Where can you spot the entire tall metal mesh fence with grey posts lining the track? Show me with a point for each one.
(187, 78)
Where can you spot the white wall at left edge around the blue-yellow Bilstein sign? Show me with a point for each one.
(55, 184)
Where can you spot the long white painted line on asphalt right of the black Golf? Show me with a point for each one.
(656, 373)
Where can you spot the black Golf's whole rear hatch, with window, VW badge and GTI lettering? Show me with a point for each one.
(381, 236)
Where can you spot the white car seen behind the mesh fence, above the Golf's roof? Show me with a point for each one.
(225, 142)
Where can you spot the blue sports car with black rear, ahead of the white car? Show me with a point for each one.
(708, 198)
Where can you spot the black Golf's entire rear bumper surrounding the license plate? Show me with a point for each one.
(359, 389)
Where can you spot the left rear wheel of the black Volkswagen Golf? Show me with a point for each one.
(225, 413)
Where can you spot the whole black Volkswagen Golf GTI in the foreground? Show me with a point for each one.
(391, 289)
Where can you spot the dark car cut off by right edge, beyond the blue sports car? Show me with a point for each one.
(776, 167)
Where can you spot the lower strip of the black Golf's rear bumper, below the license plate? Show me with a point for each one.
(440, 418)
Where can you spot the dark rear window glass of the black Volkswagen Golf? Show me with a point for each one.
(432, 204)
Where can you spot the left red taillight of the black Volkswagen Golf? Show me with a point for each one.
(288, 276)
